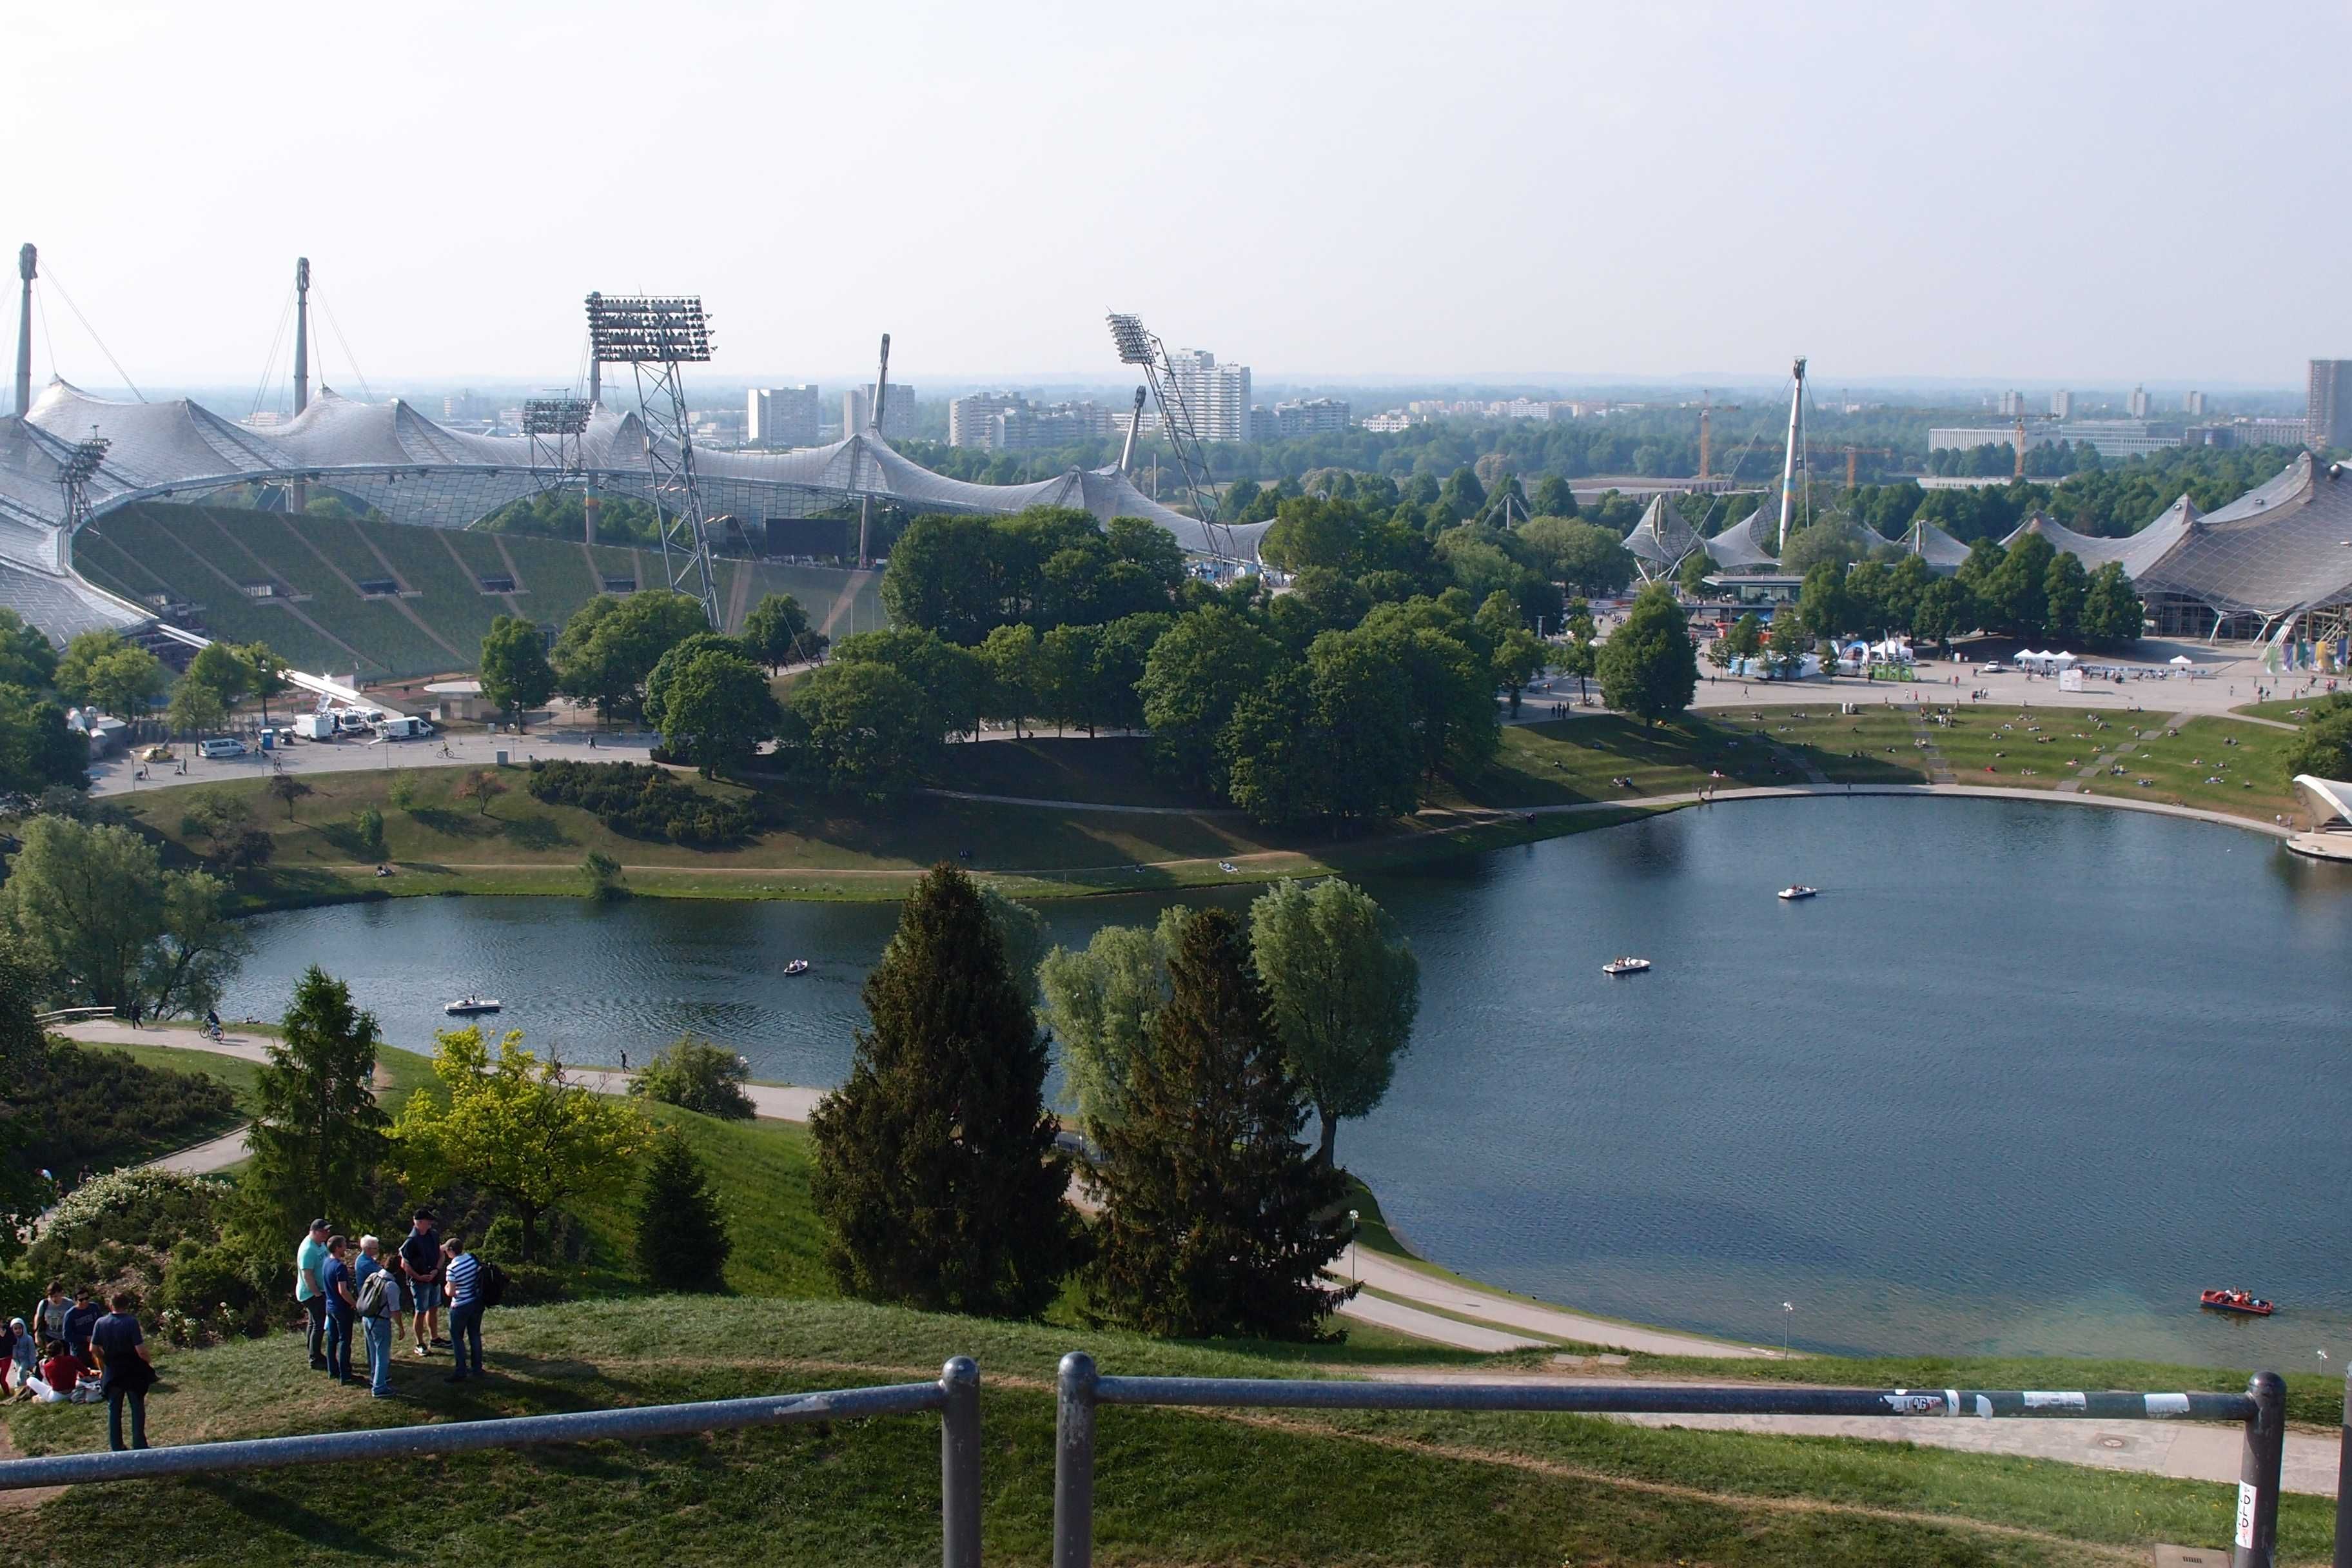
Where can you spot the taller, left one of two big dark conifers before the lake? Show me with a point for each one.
(935, 1162)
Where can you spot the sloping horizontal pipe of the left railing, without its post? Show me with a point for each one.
(474, 1435)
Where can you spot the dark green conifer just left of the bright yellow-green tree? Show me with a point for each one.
(319, 1134)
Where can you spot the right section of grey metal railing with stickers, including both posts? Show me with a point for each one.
(1081, 1391)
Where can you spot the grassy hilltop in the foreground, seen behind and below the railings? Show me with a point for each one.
(1175, 1487)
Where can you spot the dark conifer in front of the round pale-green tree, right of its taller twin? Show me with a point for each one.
(1217, 1221)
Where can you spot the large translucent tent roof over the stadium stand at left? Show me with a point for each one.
(415, 471)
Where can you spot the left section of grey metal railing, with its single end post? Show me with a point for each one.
(956, 1398)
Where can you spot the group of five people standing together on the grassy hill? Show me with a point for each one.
(345, 1289)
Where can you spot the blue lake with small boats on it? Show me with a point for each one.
(2022, 1080)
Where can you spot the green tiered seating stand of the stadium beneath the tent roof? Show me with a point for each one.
(321, 622)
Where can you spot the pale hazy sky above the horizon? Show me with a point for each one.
(2090, 194)
